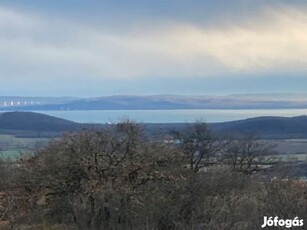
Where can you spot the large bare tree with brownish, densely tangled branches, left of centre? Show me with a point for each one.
(100, 178)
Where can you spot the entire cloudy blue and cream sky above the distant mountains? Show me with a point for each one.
(92, 48)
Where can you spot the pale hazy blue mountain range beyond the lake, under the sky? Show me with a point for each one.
(156, 102)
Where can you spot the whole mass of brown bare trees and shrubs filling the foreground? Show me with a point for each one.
(114, 178)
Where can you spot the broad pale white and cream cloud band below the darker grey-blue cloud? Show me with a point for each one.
(35, 46)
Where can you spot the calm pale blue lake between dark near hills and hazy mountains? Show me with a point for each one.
(169, 116)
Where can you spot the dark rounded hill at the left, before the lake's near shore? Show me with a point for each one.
(29, 122)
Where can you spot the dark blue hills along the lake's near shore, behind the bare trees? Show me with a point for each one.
(35, 124)
